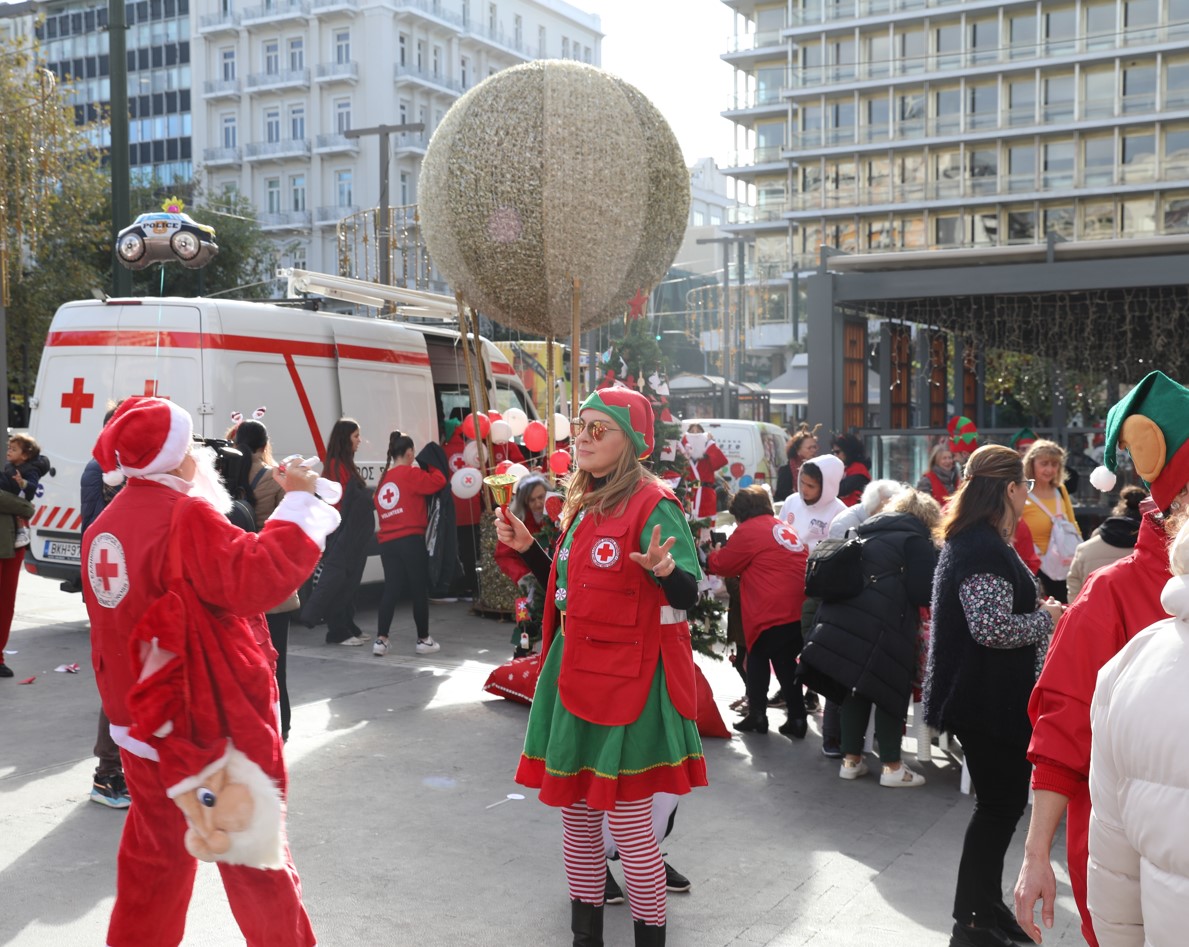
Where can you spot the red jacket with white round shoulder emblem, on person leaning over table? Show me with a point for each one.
(770, 560)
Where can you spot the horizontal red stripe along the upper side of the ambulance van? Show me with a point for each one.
(152, 340)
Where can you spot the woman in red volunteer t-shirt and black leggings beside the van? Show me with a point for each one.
(400, 501)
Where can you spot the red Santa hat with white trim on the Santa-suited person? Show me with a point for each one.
(146, 436)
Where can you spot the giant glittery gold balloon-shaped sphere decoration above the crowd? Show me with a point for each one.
(545, 173)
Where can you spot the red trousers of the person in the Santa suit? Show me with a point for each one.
(156, 877)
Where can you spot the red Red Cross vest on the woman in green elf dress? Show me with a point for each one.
(614, 631)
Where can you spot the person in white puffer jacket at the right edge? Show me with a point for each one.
(1138, 880)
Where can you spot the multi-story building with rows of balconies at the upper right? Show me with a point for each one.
(875, 126)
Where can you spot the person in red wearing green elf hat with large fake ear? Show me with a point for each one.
(1116, 604)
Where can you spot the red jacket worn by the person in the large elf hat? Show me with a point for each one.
(1117, 603)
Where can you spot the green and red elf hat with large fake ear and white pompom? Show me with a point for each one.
(1153, 425)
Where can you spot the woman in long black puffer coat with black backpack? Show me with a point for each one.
(863, 651)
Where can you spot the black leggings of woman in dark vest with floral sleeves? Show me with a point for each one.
(1001, 774)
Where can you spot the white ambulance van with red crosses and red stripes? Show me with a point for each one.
(218, 358)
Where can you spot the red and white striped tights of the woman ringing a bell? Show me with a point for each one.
(644, 870)
